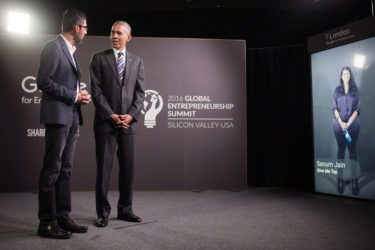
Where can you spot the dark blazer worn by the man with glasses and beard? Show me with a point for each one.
(58, 78)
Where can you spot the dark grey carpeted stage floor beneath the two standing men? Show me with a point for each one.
(260, 218)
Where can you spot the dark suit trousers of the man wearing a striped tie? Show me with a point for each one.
(105, 151)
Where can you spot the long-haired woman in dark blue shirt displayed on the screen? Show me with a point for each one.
(346, 109)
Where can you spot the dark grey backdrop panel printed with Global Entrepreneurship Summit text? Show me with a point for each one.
(190, 148)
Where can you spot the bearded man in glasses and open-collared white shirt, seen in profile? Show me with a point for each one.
(58, 79)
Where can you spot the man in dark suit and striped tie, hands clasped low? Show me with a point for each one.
(117, 84)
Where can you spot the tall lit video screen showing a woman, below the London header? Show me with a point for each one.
(343, 89)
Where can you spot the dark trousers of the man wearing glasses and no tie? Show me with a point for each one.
(54, 182)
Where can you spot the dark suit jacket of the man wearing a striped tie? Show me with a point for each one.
(110, 96)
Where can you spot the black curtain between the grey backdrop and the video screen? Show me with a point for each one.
(280, 144)
